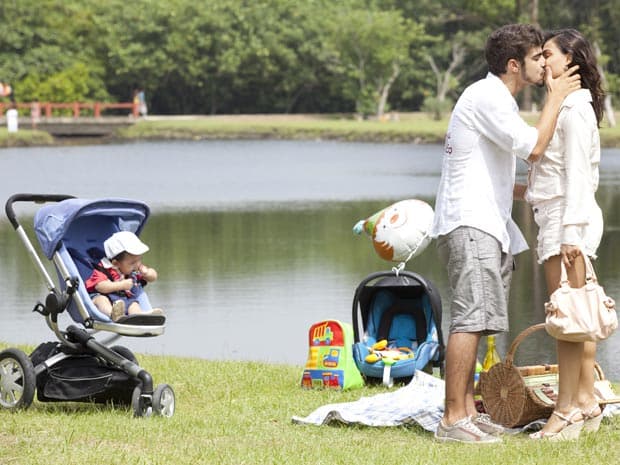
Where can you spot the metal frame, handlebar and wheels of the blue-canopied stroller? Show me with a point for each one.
(18, 374)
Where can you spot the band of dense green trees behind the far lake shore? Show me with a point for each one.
(269, 56)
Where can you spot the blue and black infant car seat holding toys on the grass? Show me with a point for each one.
(397, 327)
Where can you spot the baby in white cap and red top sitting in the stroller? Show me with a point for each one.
(117, 280)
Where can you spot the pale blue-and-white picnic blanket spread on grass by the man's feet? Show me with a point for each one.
(421, 401)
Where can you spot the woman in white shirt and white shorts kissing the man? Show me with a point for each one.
(561, 188)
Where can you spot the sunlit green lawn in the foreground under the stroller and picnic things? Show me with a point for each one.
(240, 413)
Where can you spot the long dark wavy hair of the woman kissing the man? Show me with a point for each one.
(570, 41)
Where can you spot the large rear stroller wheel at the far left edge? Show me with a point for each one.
(17, 380)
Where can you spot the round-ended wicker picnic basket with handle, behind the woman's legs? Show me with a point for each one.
(515, 396)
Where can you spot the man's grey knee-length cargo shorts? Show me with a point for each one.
(479, 275)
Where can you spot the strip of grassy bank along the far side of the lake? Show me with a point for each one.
(410, 128)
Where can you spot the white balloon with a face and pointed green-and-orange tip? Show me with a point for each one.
(399, 232)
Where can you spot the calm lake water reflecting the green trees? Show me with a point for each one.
(253, 240)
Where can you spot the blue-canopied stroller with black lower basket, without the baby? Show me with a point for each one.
(80, 367)
